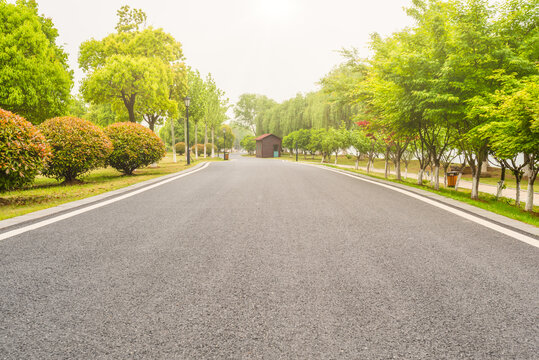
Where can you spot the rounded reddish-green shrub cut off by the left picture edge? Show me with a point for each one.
(23, 151)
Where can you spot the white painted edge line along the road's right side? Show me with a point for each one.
(516, 235)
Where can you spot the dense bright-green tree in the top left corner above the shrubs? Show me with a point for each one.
(34, 74)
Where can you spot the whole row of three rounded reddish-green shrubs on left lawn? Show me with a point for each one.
(66, 147)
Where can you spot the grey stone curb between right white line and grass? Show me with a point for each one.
(485, 214)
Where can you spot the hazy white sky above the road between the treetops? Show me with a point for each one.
(271, 47)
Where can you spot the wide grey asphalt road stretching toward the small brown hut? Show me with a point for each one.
(266, 259)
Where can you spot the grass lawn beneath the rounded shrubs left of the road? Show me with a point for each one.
(45, 192)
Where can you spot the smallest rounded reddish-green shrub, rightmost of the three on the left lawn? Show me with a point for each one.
(134, 146)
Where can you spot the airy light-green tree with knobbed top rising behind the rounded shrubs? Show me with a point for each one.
(132, 68)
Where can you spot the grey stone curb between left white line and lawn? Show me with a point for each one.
(40, 214)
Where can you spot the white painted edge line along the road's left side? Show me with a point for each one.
(52, 220)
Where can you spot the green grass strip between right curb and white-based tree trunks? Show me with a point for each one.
(504, 206)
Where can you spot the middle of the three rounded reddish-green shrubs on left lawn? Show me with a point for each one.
(78, 146)
